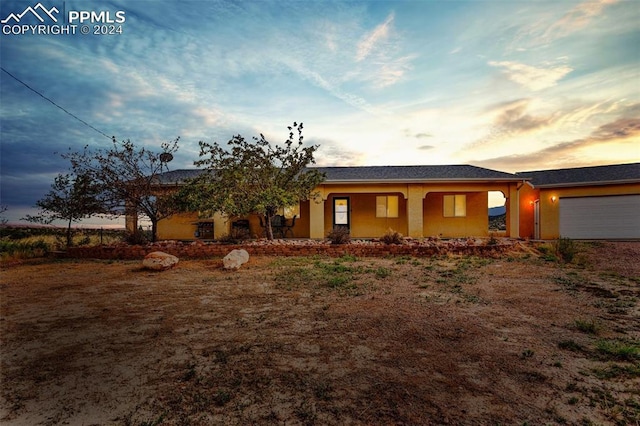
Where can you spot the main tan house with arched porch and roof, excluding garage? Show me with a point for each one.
(417, 201)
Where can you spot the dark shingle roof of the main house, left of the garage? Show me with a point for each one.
(381, 174)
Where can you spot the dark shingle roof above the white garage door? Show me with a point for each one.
(598, 175)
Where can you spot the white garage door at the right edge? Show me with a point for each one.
(600, 217)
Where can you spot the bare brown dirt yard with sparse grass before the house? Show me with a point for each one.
(520, 339)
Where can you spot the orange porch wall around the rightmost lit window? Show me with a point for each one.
(476, 223)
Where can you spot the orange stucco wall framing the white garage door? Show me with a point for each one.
(550, 211)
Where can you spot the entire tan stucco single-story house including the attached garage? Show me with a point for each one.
(446, 201)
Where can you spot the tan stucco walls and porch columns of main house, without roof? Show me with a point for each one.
(417, 216)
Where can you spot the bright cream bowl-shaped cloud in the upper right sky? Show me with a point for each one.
(533, 78)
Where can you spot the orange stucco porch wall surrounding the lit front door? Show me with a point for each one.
(363, 220)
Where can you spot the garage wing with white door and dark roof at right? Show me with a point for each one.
(601, 202)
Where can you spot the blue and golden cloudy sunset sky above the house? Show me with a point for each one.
(502, 84)
